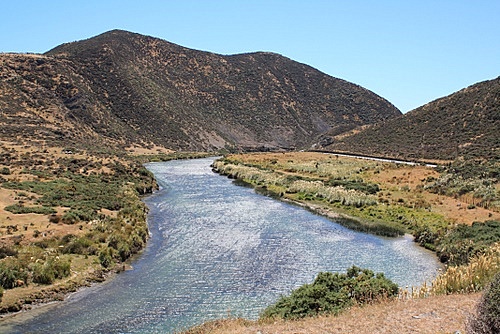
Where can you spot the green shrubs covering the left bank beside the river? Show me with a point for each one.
(110, 240)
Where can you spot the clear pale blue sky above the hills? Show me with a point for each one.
(408, 51)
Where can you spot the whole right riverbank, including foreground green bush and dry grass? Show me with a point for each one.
(452, 210)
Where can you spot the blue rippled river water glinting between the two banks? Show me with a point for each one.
(218, 249)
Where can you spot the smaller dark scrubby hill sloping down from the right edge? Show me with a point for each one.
(463, 124)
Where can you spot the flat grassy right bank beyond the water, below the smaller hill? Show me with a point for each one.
(444, 208)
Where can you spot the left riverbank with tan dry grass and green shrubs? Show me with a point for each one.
(68, 218)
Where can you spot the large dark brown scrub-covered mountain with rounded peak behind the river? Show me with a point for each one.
(122, 89)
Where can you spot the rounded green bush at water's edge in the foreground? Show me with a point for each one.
(332, 293)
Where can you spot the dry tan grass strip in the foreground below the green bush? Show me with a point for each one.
(437, 314)
